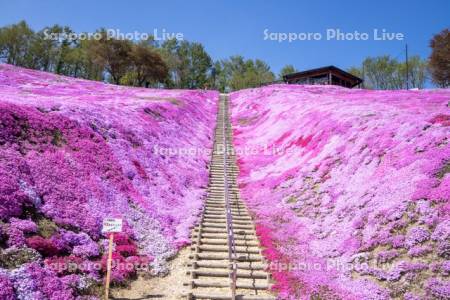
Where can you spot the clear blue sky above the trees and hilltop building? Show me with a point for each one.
(237, 27)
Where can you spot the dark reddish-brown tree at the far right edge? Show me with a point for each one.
(440, 58)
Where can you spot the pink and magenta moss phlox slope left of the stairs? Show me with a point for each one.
(73, 152)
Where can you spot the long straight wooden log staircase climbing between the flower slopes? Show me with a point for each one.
(210, 258)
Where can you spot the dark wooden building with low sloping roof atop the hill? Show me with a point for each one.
(325, 75)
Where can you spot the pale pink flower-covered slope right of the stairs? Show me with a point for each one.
(349, 189)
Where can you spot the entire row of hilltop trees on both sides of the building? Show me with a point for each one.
(187, 65)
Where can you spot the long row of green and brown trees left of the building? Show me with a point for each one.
(170, 64)
